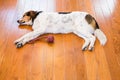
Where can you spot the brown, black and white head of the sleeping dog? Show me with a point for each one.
(28, 18)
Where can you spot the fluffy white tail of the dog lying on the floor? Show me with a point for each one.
(101, 36)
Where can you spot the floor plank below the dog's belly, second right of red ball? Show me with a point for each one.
(70, 67)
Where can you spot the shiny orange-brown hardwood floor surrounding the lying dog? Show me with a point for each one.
(63, 60)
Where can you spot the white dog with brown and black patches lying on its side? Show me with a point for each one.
(81, 24)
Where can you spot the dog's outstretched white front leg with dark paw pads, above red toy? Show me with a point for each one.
(26, 38)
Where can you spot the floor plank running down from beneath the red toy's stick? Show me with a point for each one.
(38, 66)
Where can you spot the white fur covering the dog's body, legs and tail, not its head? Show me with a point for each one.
(64, 23)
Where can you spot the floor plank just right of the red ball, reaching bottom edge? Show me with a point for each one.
(59, 59)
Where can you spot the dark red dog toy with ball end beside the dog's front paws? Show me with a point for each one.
(49, 39)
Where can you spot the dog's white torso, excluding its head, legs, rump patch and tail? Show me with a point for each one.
(60, 22)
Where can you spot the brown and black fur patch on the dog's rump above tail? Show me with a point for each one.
(91, 21)
